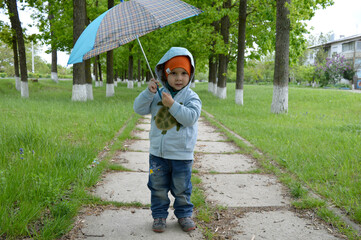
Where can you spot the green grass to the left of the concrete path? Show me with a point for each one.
(47, 146)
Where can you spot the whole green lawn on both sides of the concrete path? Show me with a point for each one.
(48, 145)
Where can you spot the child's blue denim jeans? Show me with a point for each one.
(170, 175)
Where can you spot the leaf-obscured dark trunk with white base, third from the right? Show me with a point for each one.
(223, 58)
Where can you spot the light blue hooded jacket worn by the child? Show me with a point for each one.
(186, 109)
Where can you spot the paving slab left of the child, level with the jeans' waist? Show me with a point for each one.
(136, 161)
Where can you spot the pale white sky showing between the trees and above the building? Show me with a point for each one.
(342, 18)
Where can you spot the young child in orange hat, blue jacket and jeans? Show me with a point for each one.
(173, 135)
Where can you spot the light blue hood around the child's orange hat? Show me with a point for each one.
(173, 52)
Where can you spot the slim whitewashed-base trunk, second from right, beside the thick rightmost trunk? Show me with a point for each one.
(242, 18)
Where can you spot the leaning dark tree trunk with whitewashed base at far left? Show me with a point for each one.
(16, 25)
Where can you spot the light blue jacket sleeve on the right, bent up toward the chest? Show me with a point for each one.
(187, 114)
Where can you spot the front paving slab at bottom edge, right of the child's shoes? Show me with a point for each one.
(279, 225)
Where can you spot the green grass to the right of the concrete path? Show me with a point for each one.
(318, 140)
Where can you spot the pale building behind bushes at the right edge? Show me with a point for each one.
(349, 47)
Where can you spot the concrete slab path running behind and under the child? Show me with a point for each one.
(255, 206)
